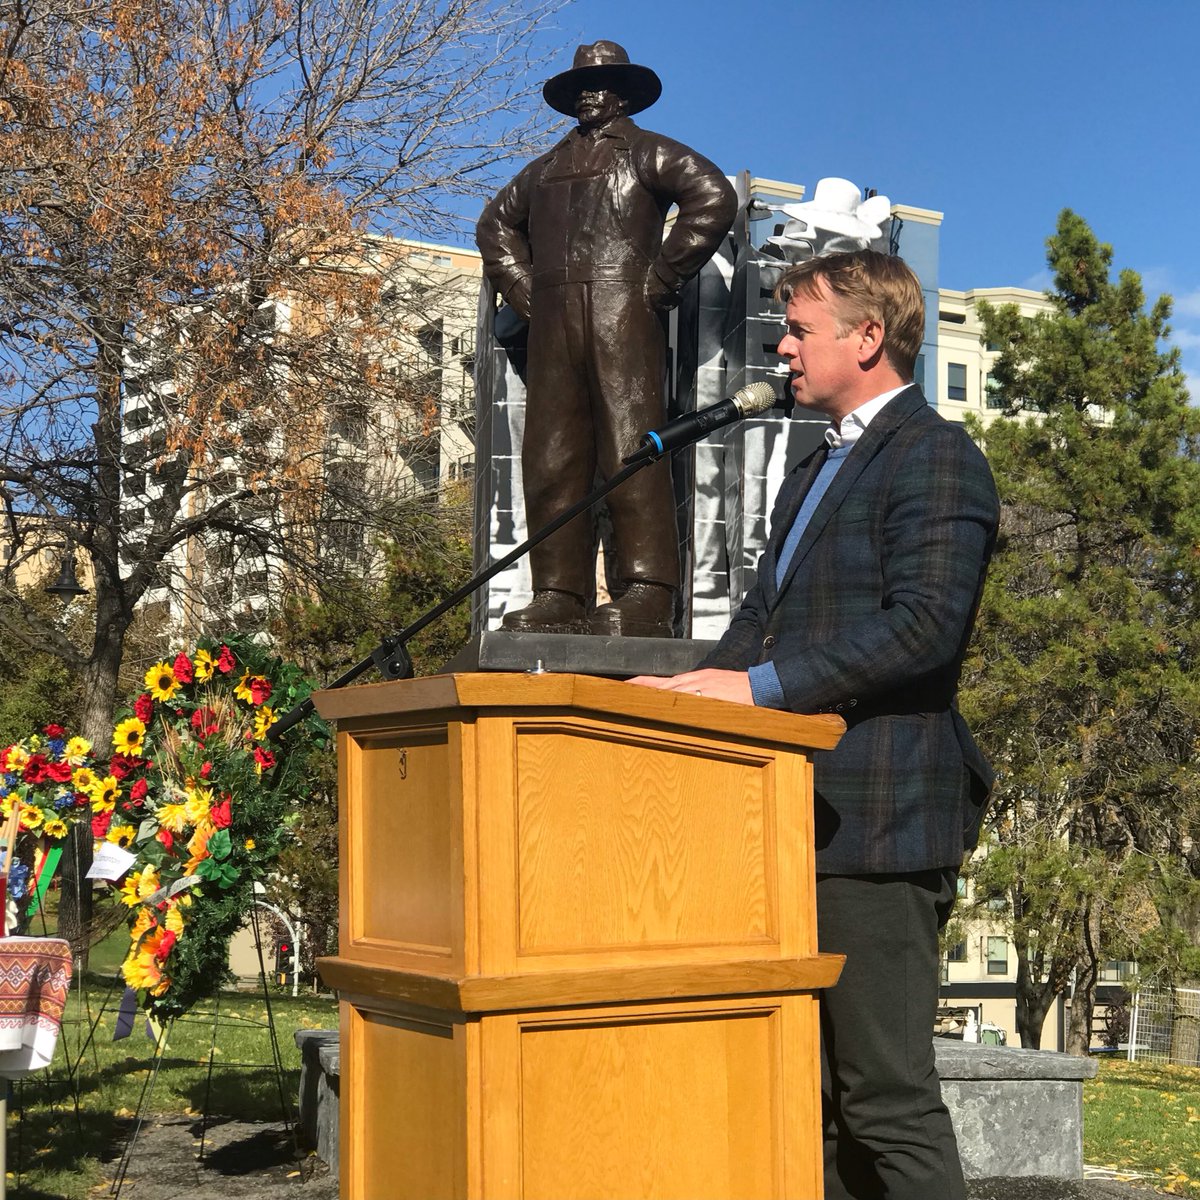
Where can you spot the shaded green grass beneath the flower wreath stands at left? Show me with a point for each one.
(63, 1157)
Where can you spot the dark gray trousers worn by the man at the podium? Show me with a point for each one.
(887, 1133)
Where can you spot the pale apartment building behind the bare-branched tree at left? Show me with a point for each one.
(397, 422)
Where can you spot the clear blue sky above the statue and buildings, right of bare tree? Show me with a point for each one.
(998, 115)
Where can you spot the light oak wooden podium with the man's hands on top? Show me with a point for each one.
(578, 951)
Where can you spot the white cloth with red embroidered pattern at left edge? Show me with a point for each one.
(35, 976)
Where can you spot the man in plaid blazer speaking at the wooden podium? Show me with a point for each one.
(865, 602)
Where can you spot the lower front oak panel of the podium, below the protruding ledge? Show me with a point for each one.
(704, 1101)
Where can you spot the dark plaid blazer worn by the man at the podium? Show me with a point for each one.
(872, 622)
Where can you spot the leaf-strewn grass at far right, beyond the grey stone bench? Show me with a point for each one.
(1145, 1119)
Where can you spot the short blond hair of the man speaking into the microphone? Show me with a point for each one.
(867, 286)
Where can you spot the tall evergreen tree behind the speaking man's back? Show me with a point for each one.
(1083, 683)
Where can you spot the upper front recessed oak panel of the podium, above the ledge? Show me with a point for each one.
(691, 860)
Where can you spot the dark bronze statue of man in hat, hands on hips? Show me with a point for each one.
(575, 247)
